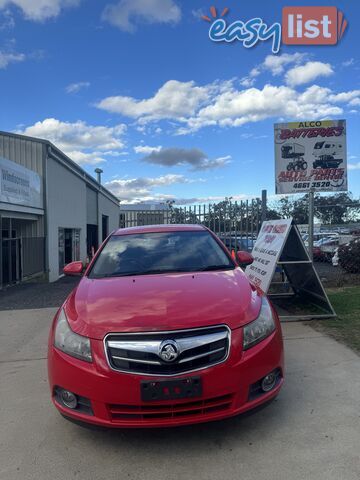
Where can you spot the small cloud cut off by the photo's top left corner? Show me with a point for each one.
(39, 10)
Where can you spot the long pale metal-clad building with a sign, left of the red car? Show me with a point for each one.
(51, 211)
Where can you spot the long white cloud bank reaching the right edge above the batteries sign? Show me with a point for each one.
(189, 107)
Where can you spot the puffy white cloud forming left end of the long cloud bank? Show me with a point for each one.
(174, 100)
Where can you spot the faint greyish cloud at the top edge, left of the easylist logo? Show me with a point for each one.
(127, 14)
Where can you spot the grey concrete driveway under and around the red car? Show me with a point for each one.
(312, 431)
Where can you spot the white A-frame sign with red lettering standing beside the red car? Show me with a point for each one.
(283, 269)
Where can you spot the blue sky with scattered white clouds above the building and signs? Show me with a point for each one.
(137, 88)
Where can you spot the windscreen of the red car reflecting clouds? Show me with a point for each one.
(150, 253)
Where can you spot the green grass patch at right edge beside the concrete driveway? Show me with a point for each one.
(346, 327)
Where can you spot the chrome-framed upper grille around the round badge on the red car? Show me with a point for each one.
(139, 352)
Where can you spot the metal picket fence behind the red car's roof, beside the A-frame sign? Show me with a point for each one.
(236, 223)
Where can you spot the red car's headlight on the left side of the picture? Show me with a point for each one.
(70, 342)
